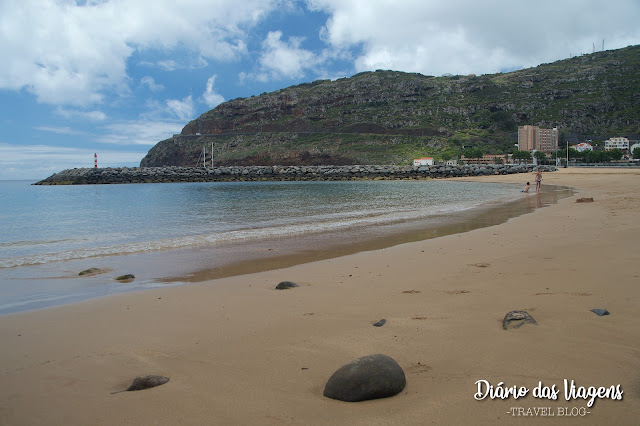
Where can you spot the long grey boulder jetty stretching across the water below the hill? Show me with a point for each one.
(91, 176)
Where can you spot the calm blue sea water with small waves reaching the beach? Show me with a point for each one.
(50, 233)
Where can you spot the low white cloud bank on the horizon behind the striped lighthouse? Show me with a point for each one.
(35, 162)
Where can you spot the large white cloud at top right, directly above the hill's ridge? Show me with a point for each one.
(467, 36)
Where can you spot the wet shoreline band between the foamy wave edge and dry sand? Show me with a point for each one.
(58, 283)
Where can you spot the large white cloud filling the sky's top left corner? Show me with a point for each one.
(66, 53)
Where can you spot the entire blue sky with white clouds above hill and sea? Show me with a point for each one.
(114, 77)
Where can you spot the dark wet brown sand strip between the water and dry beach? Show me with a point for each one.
(292, 251)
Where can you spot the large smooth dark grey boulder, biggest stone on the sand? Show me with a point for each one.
(368, 377)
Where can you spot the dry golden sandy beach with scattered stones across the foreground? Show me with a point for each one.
(239, 352)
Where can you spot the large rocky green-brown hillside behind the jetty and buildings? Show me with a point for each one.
(388, 117)
